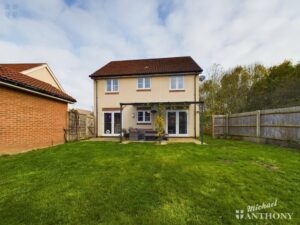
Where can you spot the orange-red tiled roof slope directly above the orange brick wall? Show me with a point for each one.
(16, 78)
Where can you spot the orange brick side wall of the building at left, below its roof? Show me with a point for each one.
(29, 121)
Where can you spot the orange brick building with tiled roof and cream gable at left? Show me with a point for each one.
(33, 107)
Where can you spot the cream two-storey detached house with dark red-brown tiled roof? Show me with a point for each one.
(136, 88)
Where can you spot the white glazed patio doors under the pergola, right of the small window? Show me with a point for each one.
(177, 122)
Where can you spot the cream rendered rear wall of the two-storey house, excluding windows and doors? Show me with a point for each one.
(159, 93)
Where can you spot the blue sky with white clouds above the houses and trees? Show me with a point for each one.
(77, 37)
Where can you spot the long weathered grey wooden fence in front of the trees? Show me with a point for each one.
(275, 126)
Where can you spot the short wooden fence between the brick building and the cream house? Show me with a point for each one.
(80, 126)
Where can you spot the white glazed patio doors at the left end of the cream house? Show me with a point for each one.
(112, 123)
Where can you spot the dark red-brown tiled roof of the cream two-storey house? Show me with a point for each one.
(183, 64)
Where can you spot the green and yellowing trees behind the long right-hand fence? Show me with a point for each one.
(249, 88)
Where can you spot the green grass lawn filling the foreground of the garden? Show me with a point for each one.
(110, 183)
